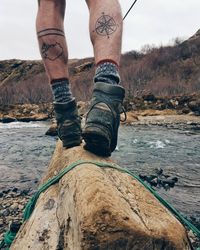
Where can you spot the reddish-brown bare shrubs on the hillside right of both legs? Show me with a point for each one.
(163, 71)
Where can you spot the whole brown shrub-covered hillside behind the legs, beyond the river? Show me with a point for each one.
(164, 71)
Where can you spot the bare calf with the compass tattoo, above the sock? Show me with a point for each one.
(105, 29)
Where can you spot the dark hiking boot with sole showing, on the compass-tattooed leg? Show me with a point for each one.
(102, 122)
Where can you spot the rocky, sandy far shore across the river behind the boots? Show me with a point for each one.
(151, 115)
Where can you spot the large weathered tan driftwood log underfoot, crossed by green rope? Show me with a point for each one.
(97, 209)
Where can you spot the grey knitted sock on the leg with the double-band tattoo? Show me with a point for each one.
(61, 90)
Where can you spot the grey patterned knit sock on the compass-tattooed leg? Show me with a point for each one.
(107, 71)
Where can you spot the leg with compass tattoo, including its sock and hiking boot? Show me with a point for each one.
(101, 129)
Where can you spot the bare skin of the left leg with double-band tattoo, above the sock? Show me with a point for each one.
(52, 43)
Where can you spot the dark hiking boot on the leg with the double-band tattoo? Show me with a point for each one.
(69, 123)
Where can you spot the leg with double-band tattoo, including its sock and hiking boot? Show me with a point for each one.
(53, 49)
